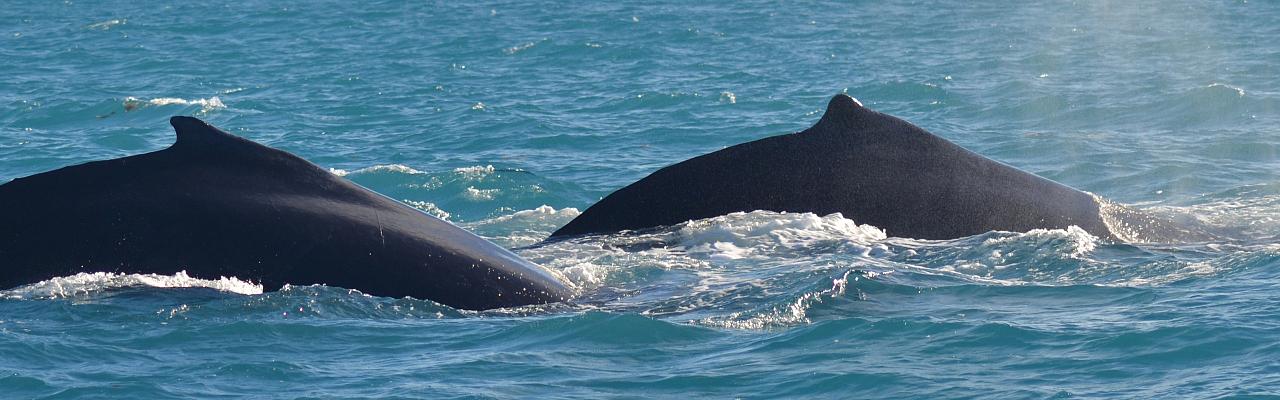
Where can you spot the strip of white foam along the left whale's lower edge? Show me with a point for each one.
(85, 284)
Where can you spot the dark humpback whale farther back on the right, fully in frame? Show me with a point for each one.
(872, 169)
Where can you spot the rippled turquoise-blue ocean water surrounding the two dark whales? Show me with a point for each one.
(508, 119)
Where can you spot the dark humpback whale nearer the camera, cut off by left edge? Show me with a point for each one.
(221, 206)
